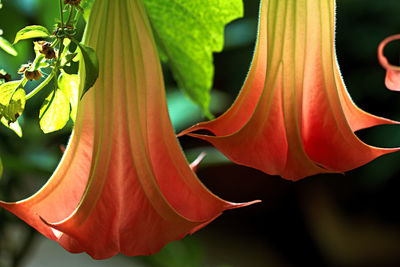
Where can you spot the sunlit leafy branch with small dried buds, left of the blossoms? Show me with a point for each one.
(54, 52)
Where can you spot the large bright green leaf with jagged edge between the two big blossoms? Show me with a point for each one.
(187, 33)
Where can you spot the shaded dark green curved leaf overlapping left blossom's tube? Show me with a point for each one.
(91, 64)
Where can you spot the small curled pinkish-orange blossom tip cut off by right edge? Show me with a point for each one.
(392, 80)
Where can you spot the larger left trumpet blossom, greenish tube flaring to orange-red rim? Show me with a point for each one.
(123, 184)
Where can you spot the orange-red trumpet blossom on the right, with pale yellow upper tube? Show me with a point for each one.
(293, 116)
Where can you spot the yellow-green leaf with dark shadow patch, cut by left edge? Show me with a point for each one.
(12, 101)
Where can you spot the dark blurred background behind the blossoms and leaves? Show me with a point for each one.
(324, 220)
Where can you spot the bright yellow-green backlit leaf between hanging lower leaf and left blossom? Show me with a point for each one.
(69, 85)
